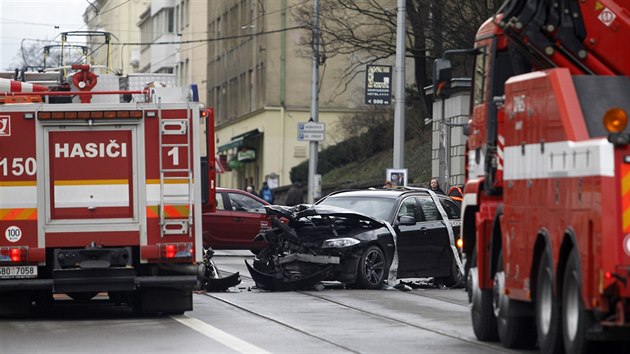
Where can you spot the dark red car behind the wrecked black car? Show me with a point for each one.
(239, 218)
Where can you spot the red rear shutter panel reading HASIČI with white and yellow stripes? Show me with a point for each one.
(91, 174)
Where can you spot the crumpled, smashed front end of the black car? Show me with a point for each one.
(295, 258)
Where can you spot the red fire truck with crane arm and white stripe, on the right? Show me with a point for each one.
(546, 206)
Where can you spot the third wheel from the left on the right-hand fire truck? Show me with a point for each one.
(547, 311)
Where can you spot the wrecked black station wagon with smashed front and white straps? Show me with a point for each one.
(362, 237)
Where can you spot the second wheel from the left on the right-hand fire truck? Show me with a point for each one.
(514, 331)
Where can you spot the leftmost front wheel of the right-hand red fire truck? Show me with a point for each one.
(483, 320)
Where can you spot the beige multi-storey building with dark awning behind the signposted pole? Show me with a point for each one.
(259, 83)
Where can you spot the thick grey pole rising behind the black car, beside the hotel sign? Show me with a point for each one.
(399, 108)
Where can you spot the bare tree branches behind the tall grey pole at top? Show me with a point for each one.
(365, 31)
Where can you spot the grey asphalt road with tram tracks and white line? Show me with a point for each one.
(247, 320)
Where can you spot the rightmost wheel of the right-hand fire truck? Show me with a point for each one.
(575, 319)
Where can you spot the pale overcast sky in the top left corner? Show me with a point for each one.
(26, 21)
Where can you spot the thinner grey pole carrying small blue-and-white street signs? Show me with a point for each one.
(313, 145)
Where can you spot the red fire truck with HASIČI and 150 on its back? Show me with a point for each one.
(102, 191)
